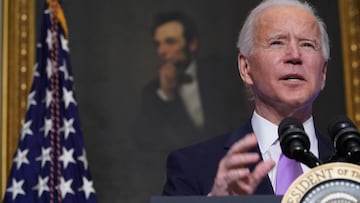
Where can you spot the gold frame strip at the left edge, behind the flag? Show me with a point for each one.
(18, 56)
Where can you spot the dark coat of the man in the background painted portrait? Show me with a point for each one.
(168, 123)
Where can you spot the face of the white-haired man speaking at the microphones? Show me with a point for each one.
(286, 68)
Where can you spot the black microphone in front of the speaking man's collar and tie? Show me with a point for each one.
(295, 143)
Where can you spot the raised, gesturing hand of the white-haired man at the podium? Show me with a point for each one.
(233, 177)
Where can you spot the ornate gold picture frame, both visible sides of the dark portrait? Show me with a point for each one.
(18, 56)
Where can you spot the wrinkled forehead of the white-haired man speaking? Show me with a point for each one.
(285, 20)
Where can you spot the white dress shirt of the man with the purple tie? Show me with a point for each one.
(267, 136)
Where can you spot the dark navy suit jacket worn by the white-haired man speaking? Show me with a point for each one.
(192, 170)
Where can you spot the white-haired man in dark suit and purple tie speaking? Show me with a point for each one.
(283, 56)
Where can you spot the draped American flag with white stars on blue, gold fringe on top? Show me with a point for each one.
(50, 164)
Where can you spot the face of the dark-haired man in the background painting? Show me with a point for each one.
(170, 43)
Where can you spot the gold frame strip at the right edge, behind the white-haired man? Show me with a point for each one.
(350, 35)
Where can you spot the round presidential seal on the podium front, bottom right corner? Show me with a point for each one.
(329, 183)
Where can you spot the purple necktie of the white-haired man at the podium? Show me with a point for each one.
(287, 171)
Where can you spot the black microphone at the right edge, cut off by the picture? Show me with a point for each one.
(346, 138)
